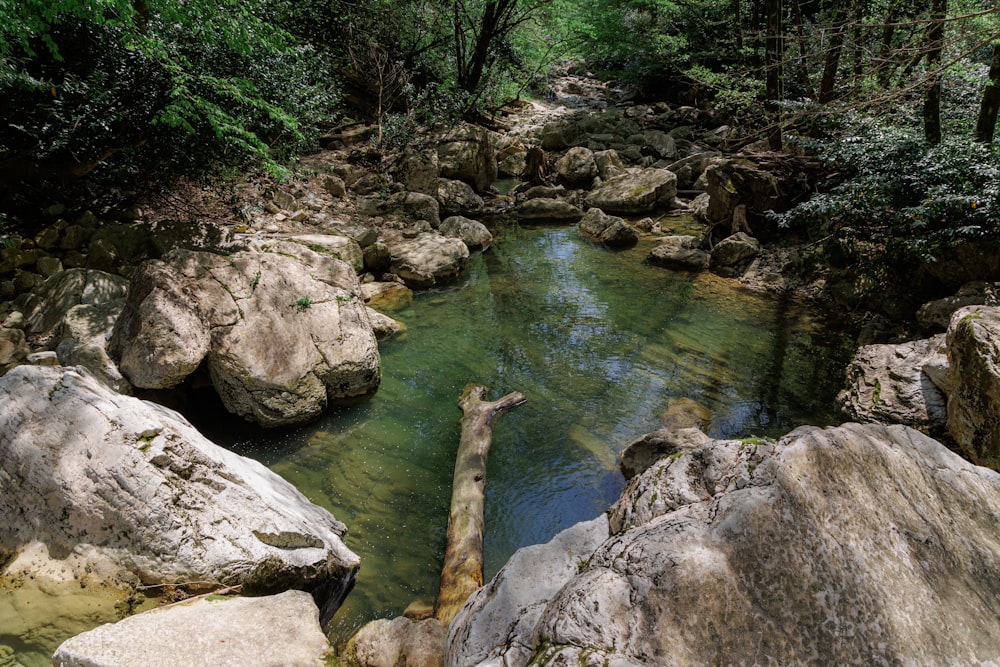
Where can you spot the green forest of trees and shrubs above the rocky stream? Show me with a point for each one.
(898, 97)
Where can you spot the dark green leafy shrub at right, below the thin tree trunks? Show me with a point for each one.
(899, 202)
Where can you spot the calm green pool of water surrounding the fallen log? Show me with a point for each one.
(600, 344)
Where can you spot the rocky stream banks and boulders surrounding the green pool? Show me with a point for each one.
(853, 542)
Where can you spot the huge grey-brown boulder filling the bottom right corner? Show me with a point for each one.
(854, 545)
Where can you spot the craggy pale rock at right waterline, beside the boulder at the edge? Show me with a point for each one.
(888, 384)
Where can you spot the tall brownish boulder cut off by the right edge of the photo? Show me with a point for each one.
(974, 383)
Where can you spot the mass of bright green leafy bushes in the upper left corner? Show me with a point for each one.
(181, 86)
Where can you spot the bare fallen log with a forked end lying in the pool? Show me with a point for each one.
(462, 572)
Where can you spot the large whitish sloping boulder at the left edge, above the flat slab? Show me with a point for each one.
(115, 485)
